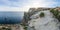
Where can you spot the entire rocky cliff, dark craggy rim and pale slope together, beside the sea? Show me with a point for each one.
(48, 22)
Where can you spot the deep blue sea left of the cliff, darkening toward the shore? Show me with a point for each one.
(11, 17)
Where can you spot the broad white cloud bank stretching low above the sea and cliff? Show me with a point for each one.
(24, 6)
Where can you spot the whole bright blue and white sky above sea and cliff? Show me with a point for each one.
(24, 5)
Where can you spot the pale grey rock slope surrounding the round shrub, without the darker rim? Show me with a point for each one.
(48, 22)
